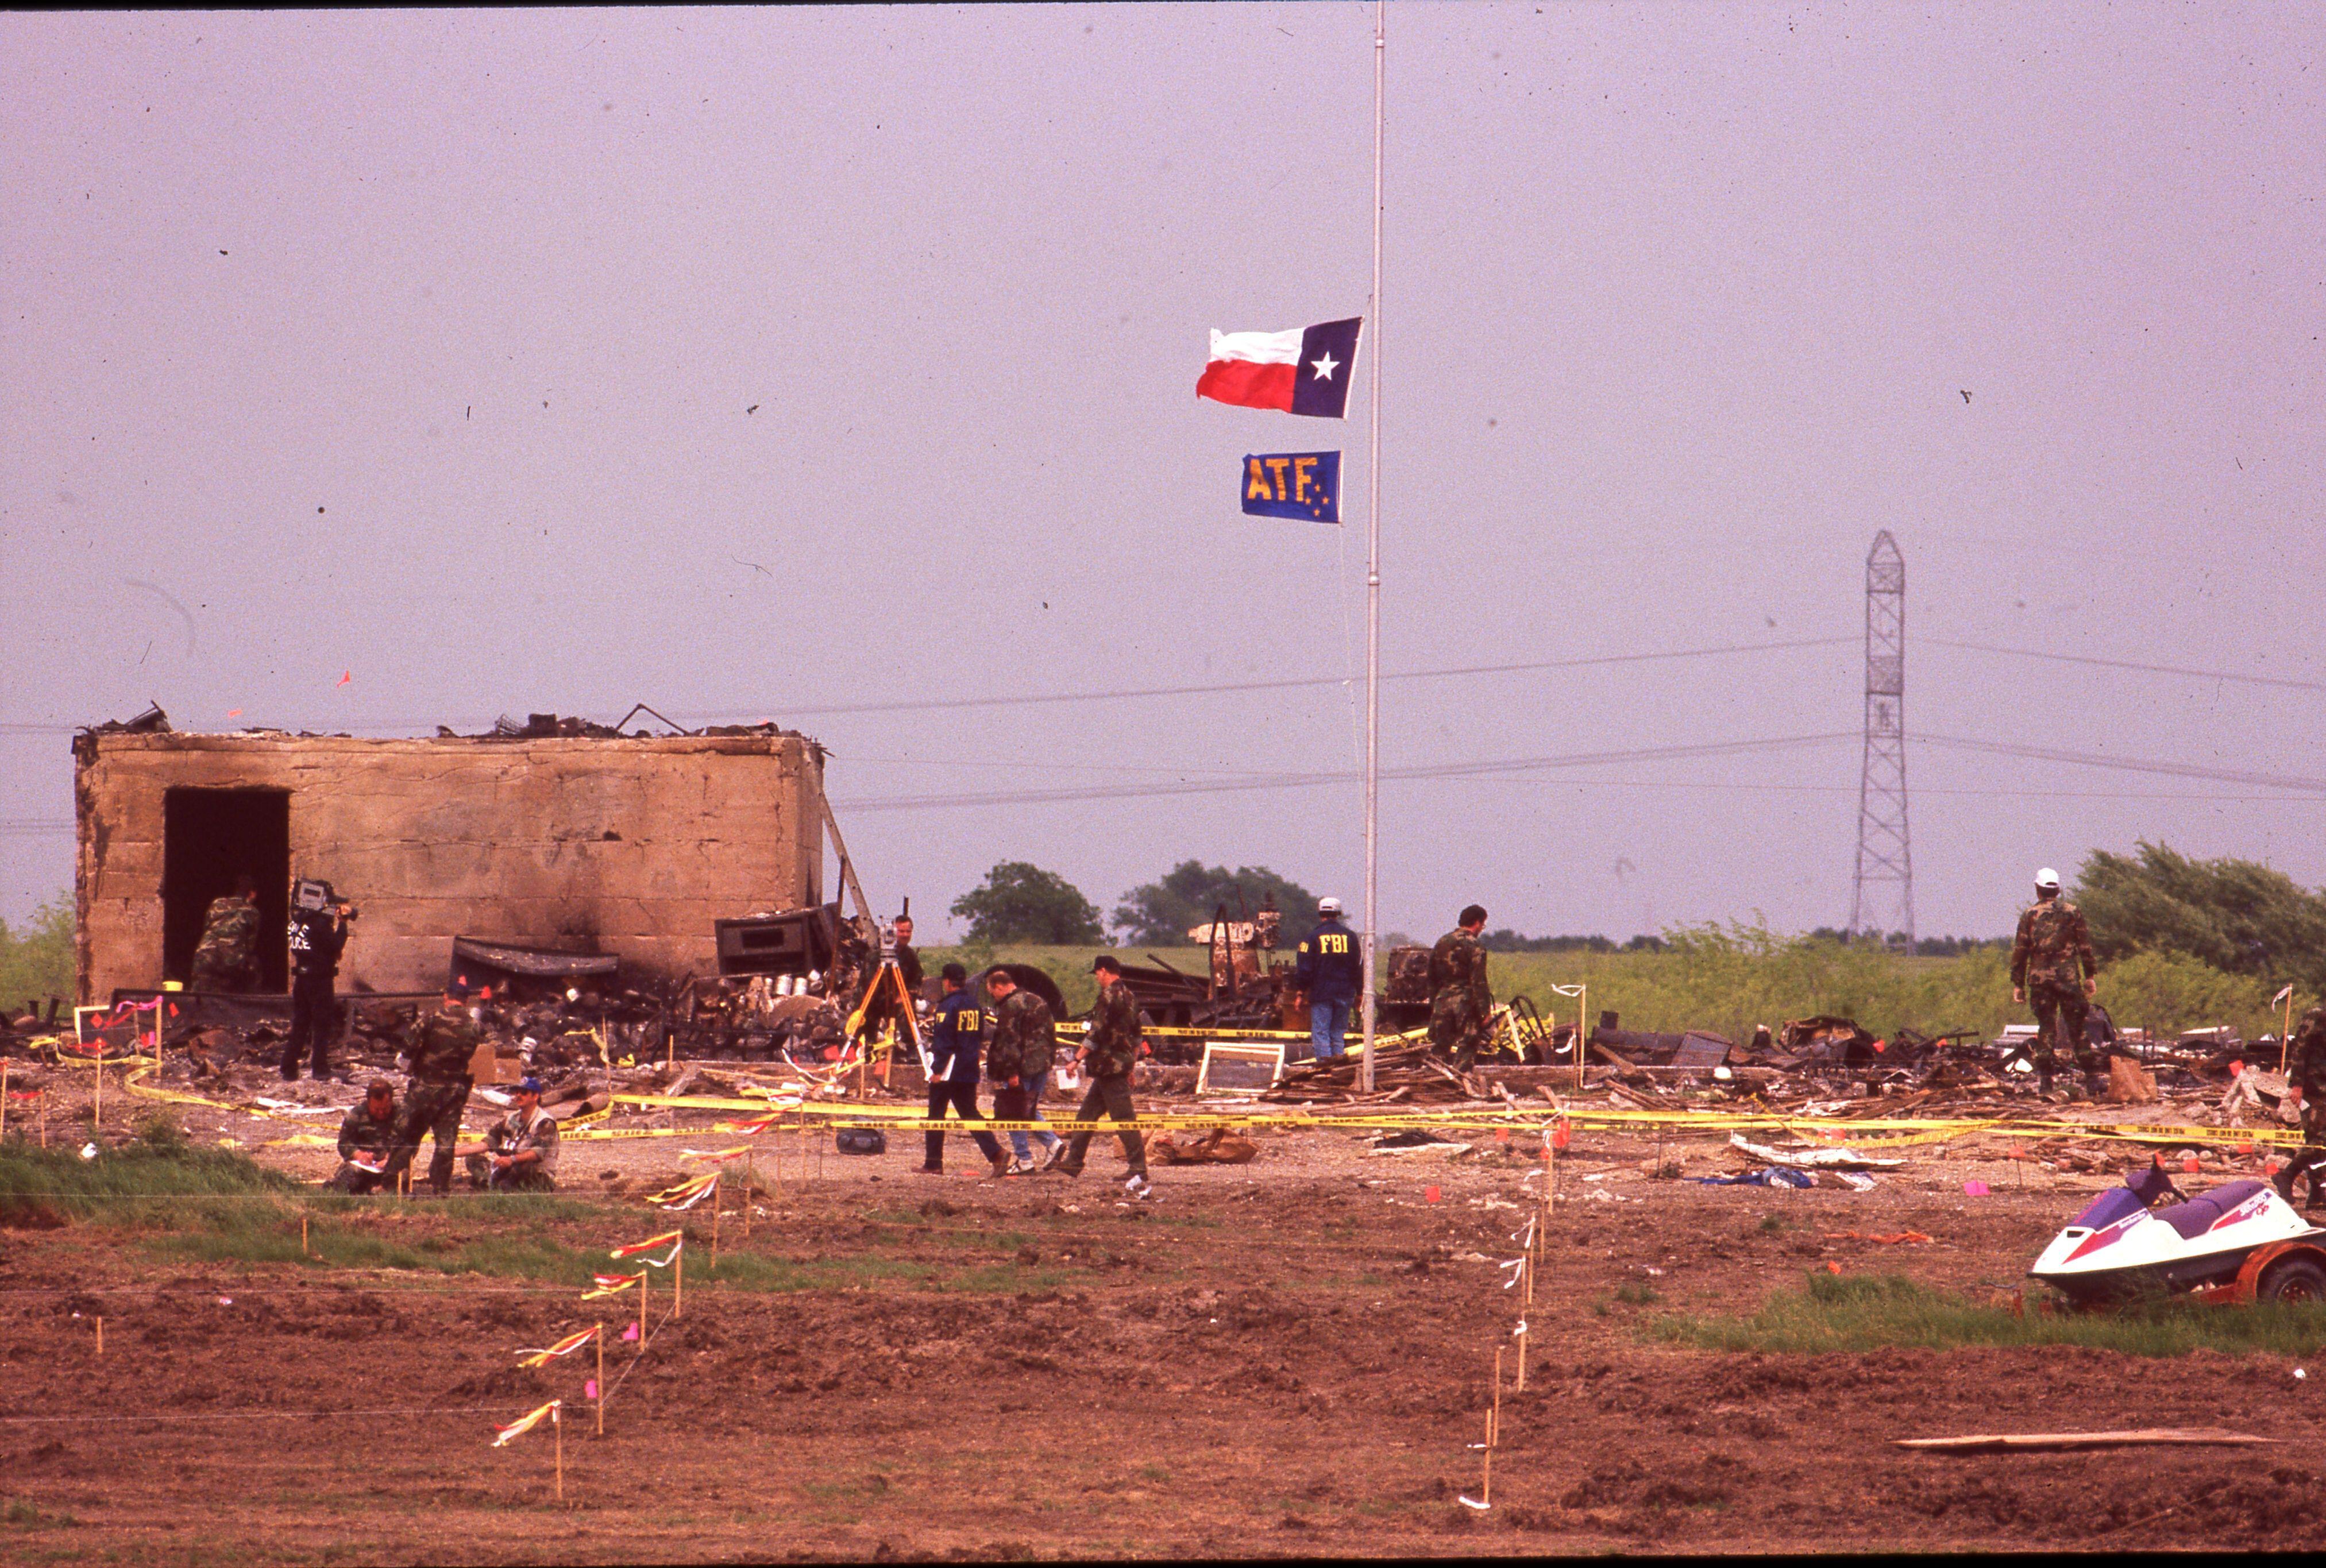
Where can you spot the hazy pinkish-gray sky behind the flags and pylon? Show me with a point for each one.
(424, 348)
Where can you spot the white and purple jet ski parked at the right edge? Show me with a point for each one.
(2125, 1248)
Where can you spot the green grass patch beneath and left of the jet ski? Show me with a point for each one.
(1860, 1313)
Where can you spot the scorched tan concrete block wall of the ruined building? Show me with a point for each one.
(615, 846)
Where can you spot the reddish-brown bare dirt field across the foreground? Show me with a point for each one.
(1287, 1357)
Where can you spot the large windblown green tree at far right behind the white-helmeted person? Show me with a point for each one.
(2232, 915)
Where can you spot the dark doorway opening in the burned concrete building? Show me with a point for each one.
(211, 841)
